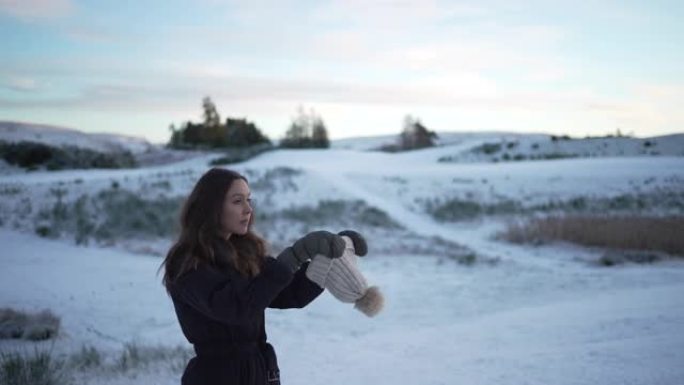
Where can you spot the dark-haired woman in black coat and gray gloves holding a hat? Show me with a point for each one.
(221, 281)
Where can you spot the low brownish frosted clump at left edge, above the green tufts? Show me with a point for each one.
(30, 326)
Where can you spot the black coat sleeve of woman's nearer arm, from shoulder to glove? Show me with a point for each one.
(230, 298)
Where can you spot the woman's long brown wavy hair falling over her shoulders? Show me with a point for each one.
(200, 240)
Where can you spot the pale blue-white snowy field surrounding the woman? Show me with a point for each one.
(519, 315)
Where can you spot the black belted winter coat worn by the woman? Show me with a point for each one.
(221, 313)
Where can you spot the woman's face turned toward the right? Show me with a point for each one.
(237, 209)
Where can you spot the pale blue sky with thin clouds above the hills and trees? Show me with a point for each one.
(134, 67)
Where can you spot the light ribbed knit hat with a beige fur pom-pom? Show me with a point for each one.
(343, 279)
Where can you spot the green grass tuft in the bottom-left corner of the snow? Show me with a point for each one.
(41, 368)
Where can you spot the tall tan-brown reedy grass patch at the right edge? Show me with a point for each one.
(654, 234)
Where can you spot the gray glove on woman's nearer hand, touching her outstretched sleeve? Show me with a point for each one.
(314, 243)
